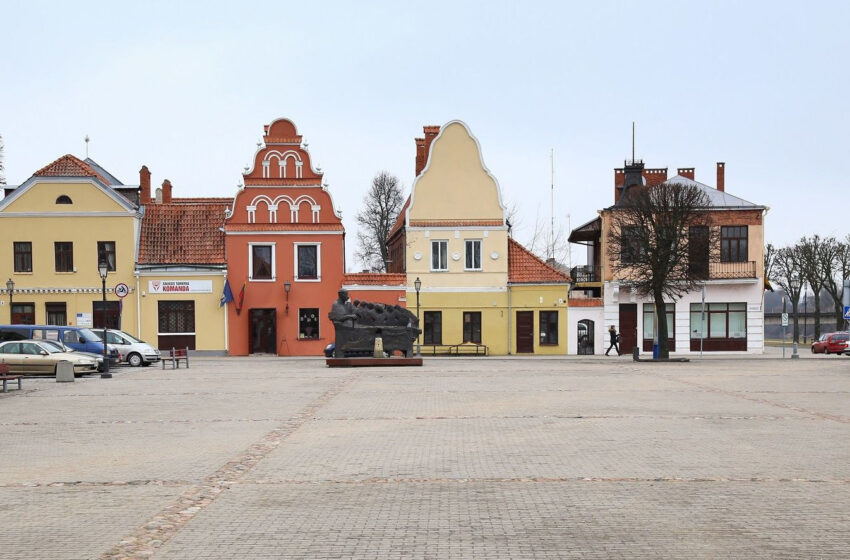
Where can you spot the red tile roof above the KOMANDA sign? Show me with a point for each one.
(182, 234)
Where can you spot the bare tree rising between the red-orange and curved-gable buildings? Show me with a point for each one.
(381, 206)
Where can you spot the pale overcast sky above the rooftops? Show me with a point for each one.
(185, 88)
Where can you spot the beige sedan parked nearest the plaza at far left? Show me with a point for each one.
(36, 357)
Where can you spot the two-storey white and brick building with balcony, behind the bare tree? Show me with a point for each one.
(725, 315)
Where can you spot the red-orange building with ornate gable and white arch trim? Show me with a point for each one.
(284, 243)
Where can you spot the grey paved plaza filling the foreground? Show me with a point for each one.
(242, 458)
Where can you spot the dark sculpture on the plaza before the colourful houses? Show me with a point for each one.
(358, 324)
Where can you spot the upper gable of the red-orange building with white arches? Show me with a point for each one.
(282, 159)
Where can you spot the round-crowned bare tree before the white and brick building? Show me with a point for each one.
(660, 243)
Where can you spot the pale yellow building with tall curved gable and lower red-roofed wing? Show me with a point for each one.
(479, 290)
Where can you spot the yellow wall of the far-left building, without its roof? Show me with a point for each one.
(100, 219)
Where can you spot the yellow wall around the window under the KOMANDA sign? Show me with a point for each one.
(209, 315)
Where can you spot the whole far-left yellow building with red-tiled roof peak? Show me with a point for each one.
(57, 226)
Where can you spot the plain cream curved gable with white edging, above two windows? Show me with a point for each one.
(455, 185)
